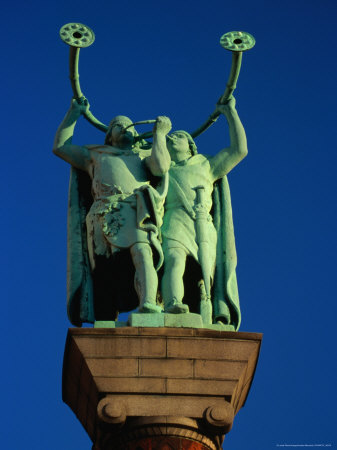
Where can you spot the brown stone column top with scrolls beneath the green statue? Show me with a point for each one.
(158, 388)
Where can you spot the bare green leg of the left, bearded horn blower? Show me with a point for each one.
(146, 279)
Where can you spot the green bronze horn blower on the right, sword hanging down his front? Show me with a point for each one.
(198, 246)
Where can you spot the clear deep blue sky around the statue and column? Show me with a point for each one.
(163, 58)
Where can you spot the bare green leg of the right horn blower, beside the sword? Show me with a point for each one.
(172, 282)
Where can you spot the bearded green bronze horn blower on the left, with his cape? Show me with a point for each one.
(116, 198)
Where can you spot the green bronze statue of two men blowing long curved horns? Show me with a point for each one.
(136, 207)
